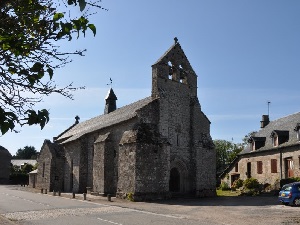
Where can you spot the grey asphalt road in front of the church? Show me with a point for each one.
(24, 207)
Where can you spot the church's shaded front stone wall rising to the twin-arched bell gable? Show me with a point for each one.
(181, 120)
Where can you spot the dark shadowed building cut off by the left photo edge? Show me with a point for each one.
(5, 158)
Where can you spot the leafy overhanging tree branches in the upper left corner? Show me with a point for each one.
(30, 34)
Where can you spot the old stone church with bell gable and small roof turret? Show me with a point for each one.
(154, 148)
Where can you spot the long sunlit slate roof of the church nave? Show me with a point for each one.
(119, 115)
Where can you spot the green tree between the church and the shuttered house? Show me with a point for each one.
(226, 152)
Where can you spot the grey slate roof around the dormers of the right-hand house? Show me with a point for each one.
(280, 126)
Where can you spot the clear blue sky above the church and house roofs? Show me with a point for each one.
(245, 53)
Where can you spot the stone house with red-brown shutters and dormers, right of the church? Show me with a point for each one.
(273, 153)
